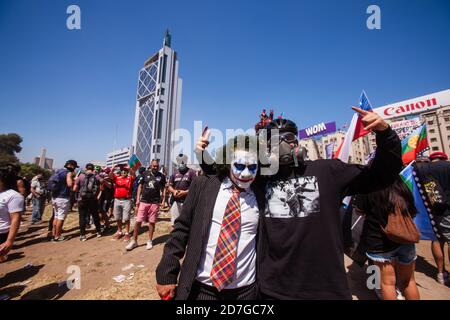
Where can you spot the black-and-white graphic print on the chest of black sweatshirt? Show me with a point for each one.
(293, 198)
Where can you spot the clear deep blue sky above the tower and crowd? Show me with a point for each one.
(68, 91)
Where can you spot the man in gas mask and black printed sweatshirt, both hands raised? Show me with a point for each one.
(300, 248)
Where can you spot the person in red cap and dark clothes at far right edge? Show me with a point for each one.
(439, 169)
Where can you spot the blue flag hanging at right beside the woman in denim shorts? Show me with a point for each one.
(423, 216)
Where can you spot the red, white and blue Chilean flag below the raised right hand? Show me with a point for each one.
(355, 130)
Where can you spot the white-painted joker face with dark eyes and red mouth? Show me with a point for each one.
(244, 166)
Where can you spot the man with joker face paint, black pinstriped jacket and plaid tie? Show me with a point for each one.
(216, 231)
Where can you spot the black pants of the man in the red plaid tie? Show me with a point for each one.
(201, 291)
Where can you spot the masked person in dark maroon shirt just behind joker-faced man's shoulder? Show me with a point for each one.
(179, 184)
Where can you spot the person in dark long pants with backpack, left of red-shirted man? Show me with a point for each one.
(87, 187)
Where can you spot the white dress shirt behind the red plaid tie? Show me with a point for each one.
(246, 246)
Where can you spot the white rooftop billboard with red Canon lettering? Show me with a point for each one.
(416, 105)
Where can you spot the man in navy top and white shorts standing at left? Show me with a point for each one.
(64, 182)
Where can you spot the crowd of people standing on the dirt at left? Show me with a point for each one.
(101, 195)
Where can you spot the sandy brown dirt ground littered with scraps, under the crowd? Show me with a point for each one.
(38, 269)
